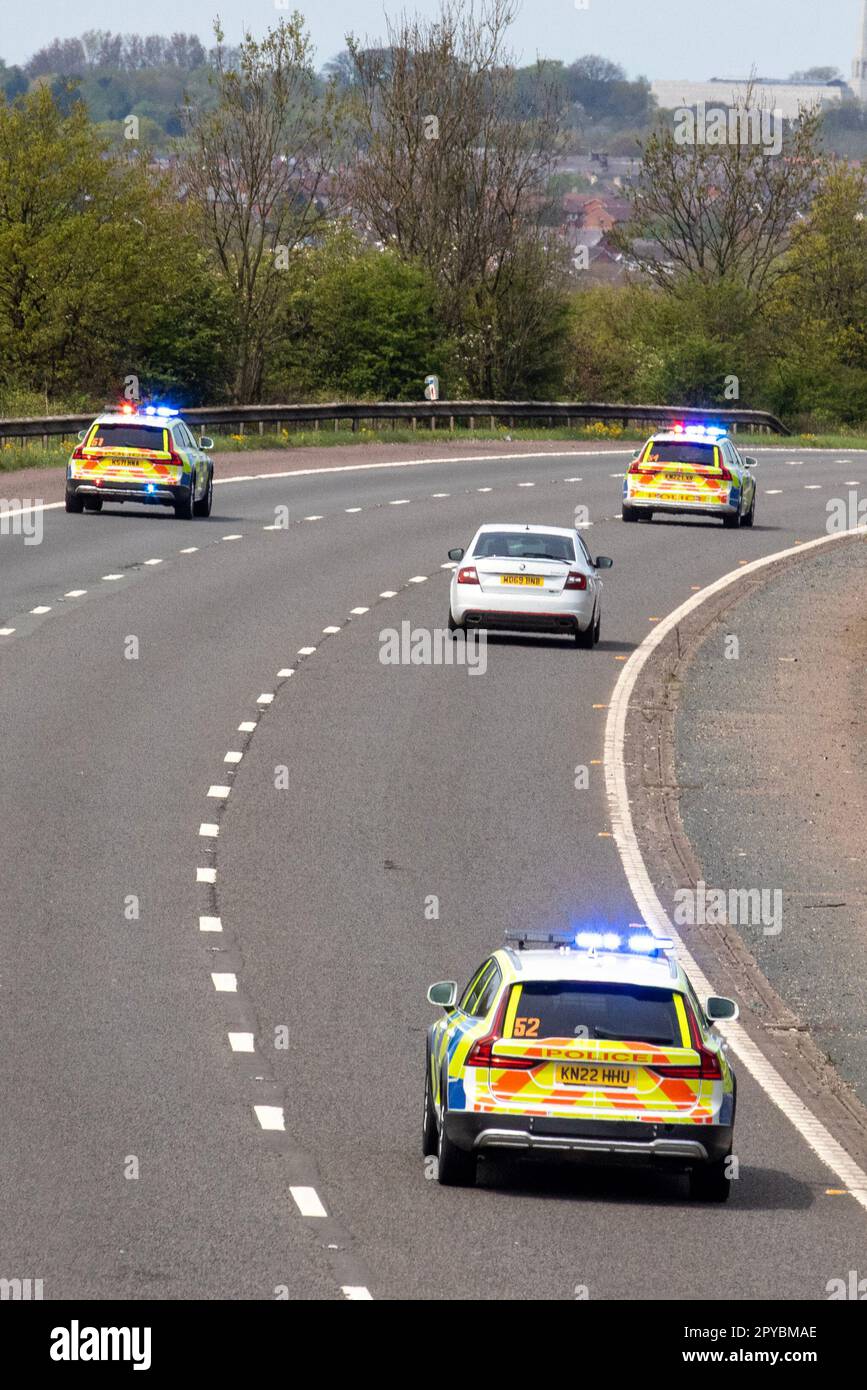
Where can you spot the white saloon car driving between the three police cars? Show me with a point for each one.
(531, 579)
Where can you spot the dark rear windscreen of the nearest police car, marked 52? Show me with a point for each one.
(601, 1011)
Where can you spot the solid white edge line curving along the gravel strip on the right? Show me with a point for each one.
(812, 1131)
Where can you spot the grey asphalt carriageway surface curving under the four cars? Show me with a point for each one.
(383, 829)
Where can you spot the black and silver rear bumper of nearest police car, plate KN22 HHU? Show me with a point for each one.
(641, 1143)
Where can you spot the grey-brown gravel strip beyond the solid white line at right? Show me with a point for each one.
(777, 799)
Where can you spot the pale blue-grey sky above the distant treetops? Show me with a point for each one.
(655, 38)
